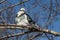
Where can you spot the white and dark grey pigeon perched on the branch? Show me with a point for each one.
(22, 18)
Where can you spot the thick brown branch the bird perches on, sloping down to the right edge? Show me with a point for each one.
(37, 29)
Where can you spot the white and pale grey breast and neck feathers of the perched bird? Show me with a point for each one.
(21, 20)
